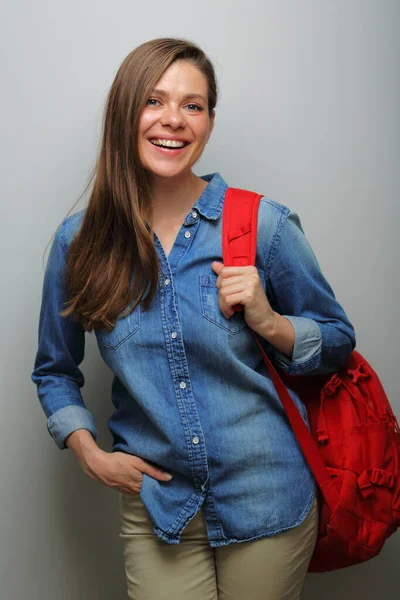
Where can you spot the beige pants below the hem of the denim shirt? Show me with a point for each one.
(271, 568)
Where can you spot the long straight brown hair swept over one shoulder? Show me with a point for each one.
(114, 240)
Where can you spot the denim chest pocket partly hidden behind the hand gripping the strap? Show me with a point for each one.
(210, 307)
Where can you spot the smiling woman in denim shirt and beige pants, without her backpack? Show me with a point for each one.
(216, 499)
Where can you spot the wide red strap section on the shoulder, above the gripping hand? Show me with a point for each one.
(239, 227)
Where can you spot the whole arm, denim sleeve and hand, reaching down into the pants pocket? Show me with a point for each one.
(59, 381)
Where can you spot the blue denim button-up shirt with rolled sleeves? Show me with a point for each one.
(190, 390)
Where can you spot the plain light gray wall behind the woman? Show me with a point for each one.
(308, 116)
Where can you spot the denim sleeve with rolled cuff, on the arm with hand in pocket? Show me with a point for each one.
(61, 345)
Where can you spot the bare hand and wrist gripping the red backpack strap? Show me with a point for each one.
(242, 285)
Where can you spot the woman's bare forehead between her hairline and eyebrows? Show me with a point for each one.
(183, 76)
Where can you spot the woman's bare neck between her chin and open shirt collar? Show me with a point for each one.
(175, 195)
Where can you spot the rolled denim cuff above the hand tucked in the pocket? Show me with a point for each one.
(68, 419)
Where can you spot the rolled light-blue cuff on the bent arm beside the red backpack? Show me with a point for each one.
(306, 349)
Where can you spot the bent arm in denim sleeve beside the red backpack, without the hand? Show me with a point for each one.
(323, 337)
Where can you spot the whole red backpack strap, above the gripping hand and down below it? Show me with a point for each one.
(239, 242)
